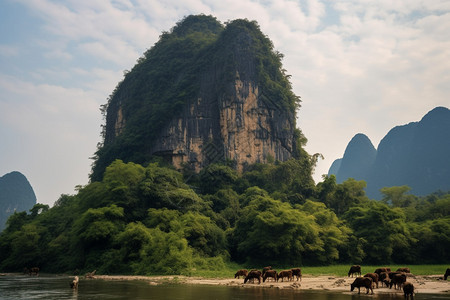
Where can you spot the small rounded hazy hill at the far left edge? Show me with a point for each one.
(16, 194)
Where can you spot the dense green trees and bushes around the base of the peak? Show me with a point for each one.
(148, 220)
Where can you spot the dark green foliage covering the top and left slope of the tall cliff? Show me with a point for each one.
(170, 73)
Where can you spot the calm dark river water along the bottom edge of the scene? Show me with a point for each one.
(57, 287)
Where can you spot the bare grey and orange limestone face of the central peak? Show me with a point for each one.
(237, 126)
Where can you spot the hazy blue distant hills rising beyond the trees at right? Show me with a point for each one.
(416, 154)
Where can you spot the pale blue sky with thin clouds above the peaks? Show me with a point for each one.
(358, 66)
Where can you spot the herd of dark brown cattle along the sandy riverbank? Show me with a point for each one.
(383, 276)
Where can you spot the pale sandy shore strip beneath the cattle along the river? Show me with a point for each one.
(432, 284)
